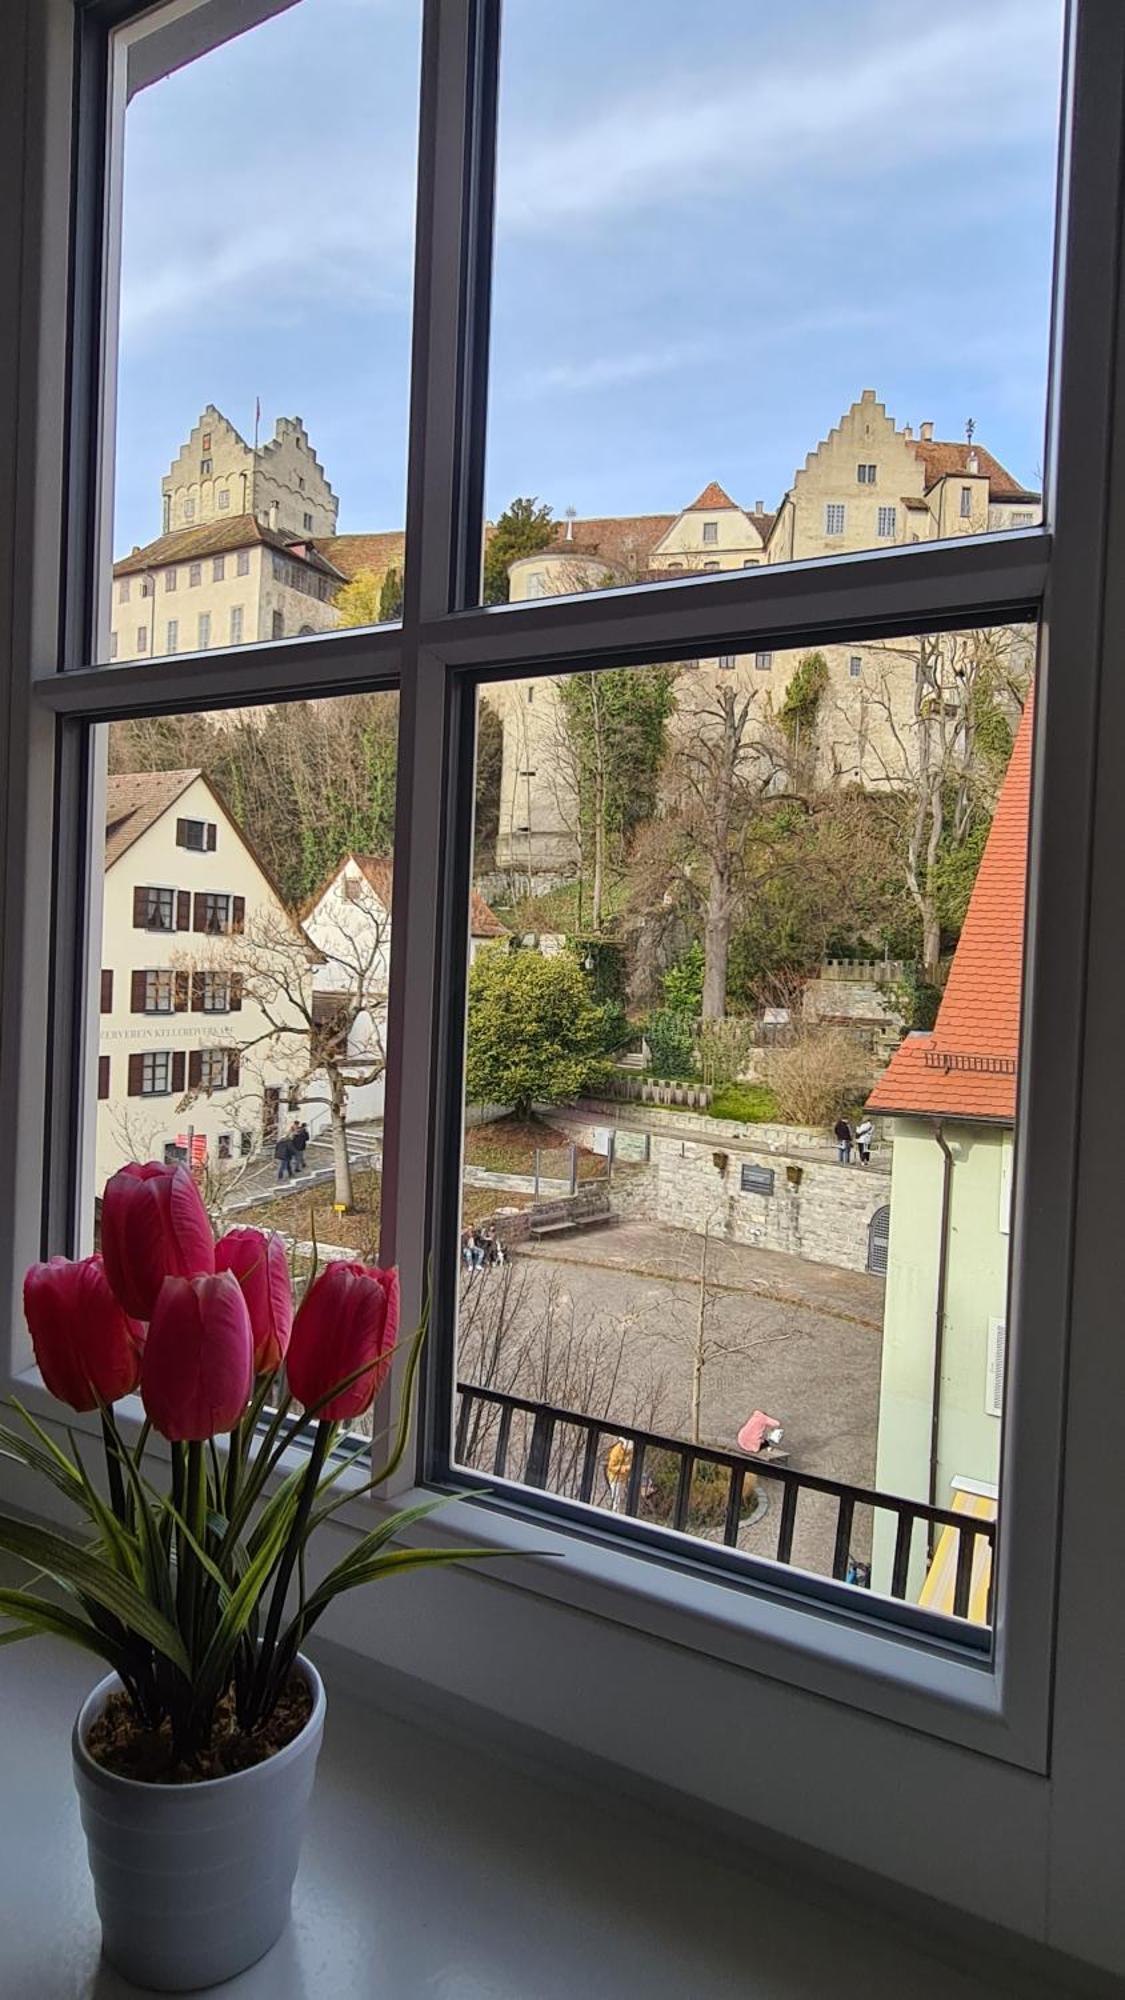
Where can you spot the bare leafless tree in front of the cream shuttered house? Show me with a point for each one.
(325, 1005)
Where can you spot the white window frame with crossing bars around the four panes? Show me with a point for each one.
(1014, 1763)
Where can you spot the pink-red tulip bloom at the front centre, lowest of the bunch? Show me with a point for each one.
(199, 1357)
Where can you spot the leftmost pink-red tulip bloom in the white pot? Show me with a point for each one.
(87, 1349)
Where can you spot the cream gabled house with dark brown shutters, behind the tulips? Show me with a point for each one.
(187, 1063)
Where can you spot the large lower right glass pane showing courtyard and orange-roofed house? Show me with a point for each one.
(744, 1005)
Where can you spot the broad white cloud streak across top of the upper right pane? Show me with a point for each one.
(956, 89)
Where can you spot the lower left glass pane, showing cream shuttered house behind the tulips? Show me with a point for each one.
(245, 963)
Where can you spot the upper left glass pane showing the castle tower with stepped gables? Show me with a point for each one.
(267, 233)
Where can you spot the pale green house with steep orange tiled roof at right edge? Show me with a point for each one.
(950, 1099)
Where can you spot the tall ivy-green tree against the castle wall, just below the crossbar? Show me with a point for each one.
(612, 749)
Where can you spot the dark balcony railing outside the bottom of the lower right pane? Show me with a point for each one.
(702, 1491)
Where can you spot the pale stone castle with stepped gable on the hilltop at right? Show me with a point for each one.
(868, 485)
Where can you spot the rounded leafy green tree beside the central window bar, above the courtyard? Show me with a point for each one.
(535, 1035)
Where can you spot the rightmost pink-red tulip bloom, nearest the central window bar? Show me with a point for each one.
(347, 1317)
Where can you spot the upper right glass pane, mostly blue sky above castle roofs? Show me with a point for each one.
(776, 295)
